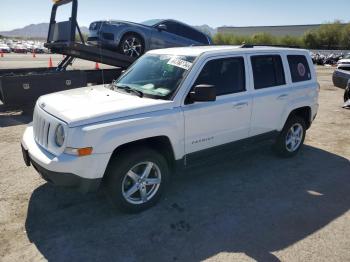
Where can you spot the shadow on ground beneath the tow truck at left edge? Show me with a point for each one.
(15, 116)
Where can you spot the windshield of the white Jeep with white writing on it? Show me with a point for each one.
(156, 76)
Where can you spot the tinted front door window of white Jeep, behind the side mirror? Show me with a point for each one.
(227, 75)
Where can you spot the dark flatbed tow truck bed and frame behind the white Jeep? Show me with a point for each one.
(20, 87)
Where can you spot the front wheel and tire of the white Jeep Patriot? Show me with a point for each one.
(121, 182)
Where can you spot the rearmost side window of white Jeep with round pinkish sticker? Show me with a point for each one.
(299, 68)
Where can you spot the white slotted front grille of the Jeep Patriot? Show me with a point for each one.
(41, 129)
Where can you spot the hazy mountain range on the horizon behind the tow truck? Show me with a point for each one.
(40, 31)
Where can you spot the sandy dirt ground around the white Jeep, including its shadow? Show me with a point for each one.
(253, 207)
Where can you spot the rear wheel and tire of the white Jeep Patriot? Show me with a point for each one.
(286, 144)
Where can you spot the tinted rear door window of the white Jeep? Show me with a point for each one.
(268, 71)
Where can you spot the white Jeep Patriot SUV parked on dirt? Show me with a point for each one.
(170, 107)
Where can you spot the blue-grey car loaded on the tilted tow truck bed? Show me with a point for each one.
(133, 39)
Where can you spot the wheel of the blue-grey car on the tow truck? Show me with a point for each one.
(132, 45)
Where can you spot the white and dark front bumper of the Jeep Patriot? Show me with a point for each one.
(81, 173)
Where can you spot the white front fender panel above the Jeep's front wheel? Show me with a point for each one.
(105, 137)
